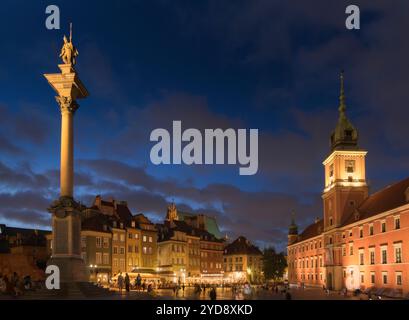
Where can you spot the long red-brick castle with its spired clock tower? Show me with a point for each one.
(362, 241)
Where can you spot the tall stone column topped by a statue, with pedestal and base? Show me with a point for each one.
(66, 212)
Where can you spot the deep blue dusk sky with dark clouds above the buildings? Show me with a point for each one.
(267, 65)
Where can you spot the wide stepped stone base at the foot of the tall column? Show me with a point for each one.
(71, 269)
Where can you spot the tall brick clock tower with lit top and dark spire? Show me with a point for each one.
(345, 189)
